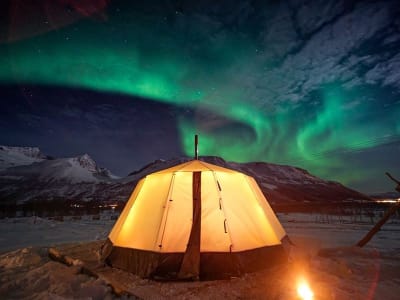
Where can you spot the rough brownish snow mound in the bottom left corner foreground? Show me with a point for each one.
(28, 273)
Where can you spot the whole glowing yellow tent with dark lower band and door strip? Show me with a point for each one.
(195, 220)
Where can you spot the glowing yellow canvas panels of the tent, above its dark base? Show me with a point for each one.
(233, 212)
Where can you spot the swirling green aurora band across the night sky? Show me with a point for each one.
(198, 74)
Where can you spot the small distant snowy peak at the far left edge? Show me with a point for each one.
(19, 156)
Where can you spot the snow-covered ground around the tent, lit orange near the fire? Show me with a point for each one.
(340, 272)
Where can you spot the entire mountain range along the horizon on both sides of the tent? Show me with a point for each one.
(81, 179)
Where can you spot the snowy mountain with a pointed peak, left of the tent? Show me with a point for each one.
(48, 179)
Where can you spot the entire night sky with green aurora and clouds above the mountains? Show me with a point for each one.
(314, 84)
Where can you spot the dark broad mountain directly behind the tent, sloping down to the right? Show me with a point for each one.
(282, 185)
